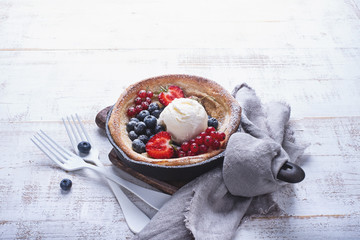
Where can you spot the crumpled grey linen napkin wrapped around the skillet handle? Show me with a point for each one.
(212, 205)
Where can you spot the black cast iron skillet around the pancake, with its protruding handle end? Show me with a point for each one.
(289, 172)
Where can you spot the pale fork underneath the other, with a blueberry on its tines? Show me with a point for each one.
(134, 217)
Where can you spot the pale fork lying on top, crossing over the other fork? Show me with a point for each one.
(71, 162)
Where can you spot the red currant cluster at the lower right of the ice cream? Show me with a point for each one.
(201, 144)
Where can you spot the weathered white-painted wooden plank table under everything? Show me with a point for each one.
(61, 57)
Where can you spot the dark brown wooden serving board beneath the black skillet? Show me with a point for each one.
(169, 187)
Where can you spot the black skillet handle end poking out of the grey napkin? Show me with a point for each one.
(291, 173)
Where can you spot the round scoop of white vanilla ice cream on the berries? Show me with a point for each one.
(184, 119)
